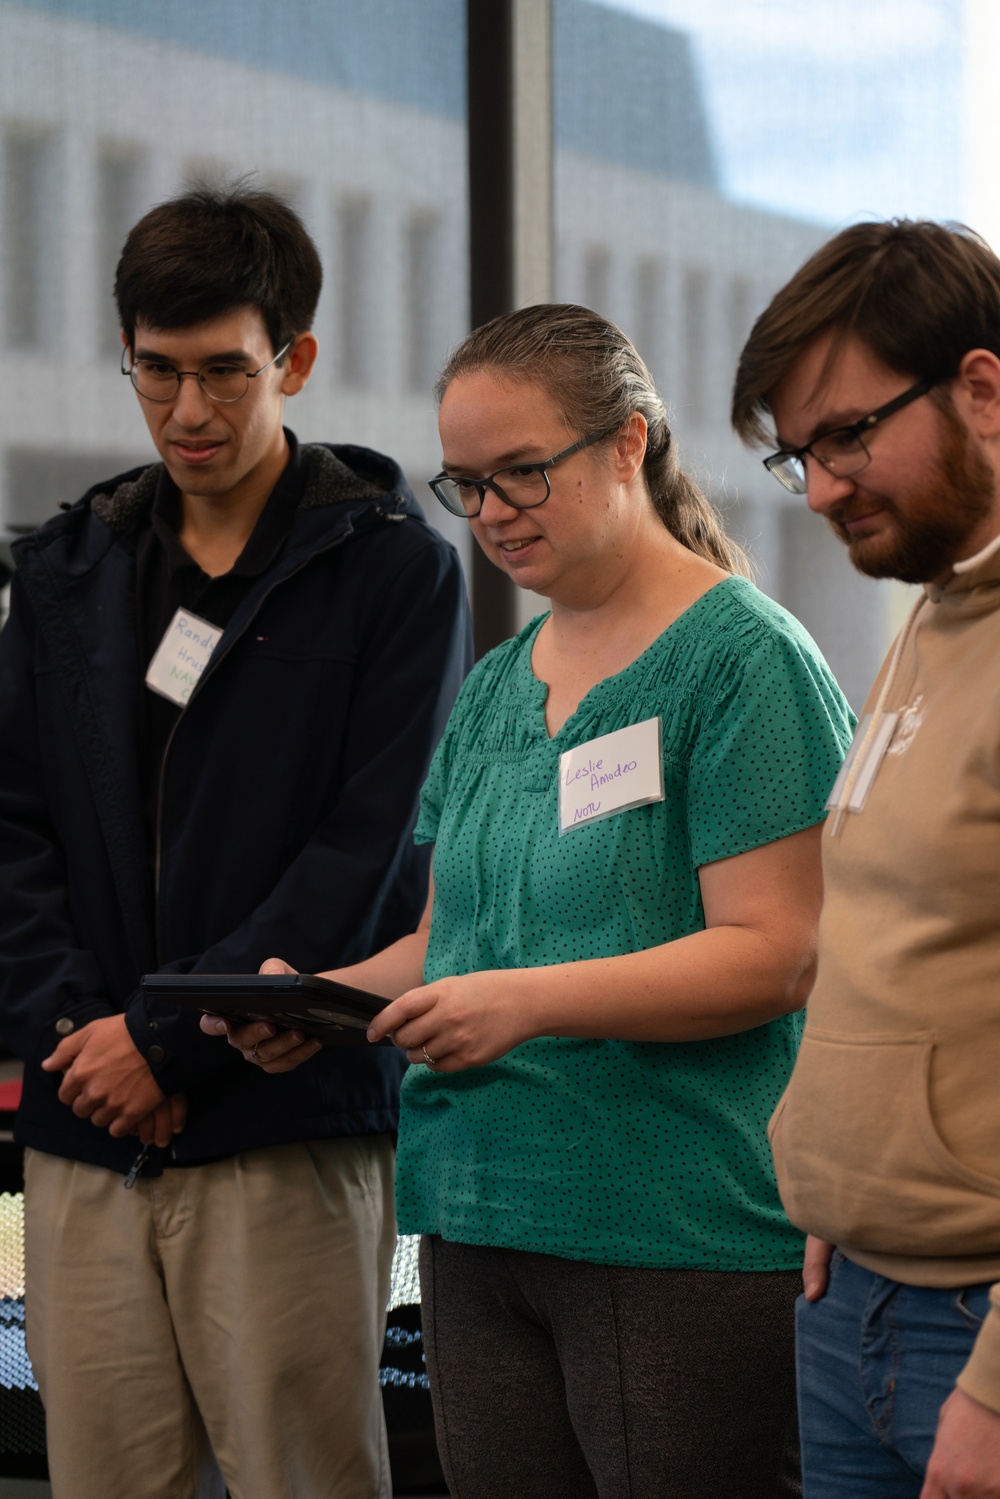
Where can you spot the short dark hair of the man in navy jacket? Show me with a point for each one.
(217, 250)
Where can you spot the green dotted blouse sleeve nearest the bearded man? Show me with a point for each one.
(768, 749)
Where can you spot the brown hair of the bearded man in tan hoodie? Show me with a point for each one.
(918, 295)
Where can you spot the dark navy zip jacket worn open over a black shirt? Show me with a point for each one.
(287, 803)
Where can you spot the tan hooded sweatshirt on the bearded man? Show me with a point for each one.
(888, 1137)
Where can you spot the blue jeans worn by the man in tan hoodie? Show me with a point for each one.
(876, 1362)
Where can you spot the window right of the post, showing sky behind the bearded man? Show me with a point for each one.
(722, 145)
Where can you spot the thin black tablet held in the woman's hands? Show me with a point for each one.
(331, 1013)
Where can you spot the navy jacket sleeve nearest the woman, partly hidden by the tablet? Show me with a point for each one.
(353, 888)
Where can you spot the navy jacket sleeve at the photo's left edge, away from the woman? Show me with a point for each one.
(47, 978)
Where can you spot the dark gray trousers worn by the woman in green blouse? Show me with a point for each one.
(561, 1380)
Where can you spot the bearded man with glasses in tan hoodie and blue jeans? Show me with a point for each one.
(878, 370)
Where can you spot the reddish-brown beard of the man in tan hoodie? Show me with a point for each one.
(933, 530)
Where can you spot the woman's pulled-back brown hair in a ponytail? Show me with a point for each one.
(597, 378)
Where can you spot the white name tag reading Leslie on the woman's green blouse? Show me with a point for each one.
(611, 774)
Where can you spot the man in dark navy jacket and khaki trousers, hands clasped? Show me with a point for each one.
(221, 686)
